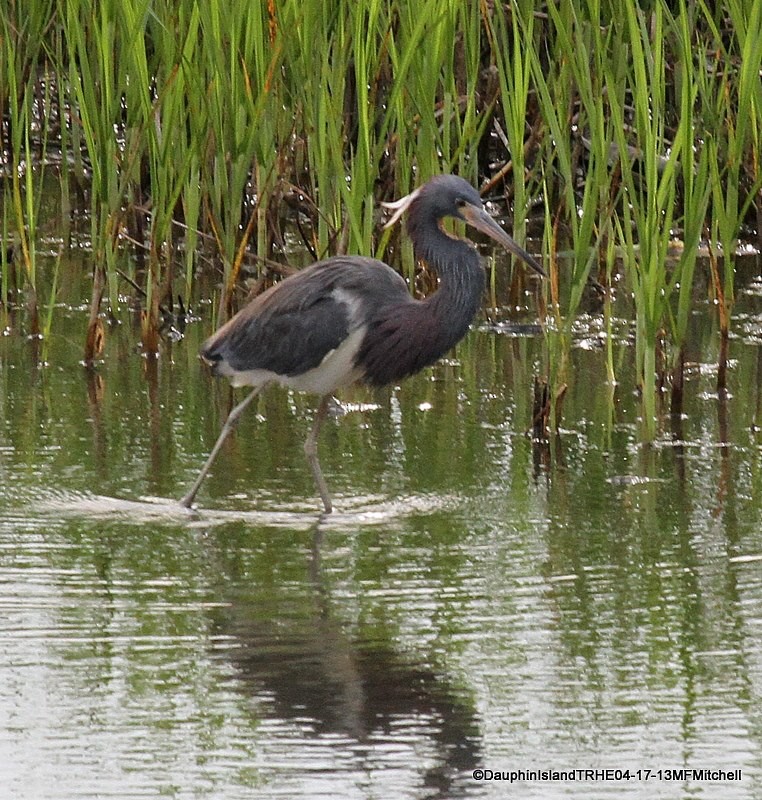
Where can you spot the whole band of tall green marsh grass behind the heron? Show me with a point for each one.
(205, 139)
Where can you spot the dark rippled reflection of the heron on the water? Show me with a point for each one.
(304, 667)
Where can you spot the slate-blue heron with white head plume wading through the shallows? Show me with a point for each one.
(351, 318)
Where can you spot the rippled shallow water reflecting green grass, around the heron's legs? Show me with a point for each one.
(476, 603)
